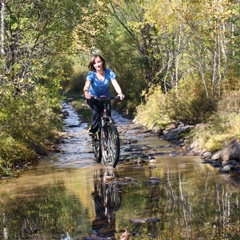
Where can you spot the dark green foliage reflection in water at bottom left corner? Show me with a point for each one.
(46, 213)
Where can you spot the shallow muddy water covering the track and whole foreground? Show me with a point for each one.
(155, 193)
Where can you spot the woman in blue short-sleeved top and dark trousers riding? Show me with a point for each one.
(97, 84)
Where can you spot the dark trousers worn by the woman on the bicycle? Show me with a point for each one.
(97, 109)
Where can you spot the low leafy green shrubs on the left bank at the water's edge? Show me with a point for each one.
(26, 121)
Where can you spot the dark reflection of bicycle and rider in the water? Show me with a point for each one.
(107, 196)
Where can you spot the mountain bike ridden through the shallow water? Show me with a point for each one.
(106, 142)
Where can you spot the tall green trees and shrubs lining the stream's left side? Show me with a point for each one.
(36, 38)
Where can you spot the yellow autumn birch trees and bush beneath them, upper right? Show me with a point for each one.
(191, 52)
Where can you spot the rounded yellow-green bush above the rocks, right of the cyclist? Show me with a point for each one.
(187, 103)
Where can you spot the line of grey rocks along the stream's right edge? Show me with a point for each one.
(227, 159)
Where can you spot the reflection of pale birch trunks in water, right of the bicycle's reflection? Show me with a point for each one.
(190, 204)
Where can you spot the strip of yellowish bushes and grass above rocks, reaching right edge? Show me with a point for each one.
(217, 122)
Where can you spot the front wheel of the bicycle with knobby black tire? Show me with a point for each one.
(110, 145)
